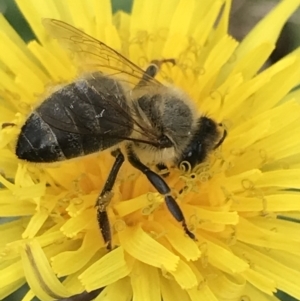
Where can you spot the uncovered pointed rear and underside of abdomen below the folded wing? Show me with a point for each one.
(40, 141)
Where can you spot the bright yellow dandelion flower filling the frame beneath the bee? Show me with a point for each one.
(241, 203)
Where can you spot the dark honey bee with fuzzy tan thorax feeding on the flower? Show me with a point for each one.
(118, 106)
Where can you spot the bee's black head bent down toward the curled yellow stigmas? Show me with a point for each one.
(206, 138)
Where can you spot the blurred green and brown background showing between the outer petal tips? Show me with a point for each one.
(244, 15)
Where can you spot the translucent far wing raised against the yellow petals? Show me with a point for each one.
(93, 55)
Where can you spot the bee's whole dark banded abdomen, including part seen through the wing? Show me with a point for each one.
(83, 117)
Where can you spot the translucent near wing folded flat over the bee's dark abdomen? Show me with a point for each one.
(97, 108)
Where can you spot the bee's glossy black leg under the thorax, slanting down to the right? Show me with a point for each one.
(162, 187)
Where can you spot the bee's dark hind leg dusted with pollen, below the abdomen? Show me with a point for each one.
(105, 197)
